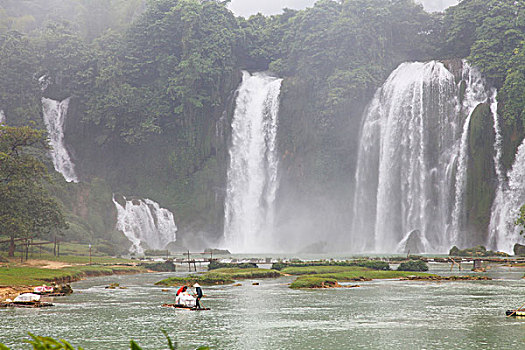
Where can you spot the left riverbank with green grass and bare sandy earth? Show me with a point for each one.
(16, 278)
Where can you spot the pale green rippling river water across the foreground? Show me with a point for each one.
(379, 315)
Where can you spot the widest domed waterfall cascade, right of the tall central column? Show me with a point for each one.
(413, 157)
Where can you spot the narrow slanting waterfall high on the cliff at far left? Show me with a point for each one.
(54, 117)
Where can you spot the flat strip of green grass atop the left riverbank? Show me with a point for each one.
(32, 276)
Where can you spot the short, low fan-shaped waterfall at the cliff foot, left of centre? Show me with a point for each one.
(145, 224)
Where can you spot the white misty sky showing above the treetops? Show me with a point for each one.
(249, 7)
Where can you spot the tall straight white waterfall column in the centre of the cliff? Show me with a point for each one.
(253, 172)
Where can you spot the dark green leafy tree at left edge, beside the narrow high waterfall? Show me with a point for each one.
(26, 208)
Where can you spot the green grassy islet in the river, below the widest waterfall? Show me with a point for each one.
(330, 276)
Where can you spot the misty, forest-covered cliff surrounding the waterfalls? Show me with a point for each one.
(152, 89)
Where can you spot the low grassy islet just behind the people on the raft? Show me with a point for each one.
(220, 276)
